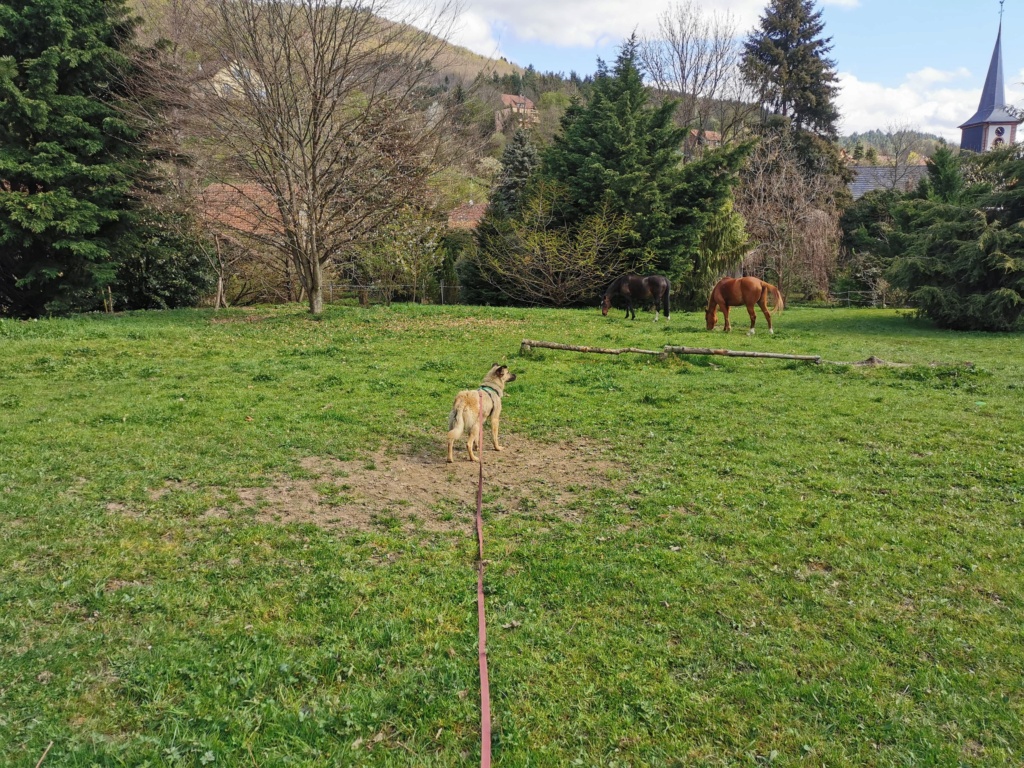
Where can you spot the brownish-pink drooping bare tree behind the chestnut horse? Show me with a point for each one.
(792, 217)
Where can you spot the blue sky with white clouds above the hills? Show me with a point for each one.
(919, 64)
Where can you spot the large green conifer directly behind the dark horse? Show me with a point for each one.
(618, 156)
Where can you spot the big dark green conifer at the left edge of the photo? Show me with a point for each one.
(69, 160)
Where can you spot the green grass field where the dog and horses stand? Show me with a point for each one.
(780, 564)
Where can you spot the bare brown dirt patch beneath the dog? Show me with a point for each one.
(418, 492)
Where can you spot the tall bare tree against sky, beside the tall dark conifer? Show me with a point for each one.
(696, 58)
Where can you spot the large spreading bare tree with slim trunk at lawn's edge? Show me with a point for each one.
(320, 114)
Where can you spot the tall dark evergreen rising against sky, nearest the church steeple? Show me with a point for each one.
(787, 61)
